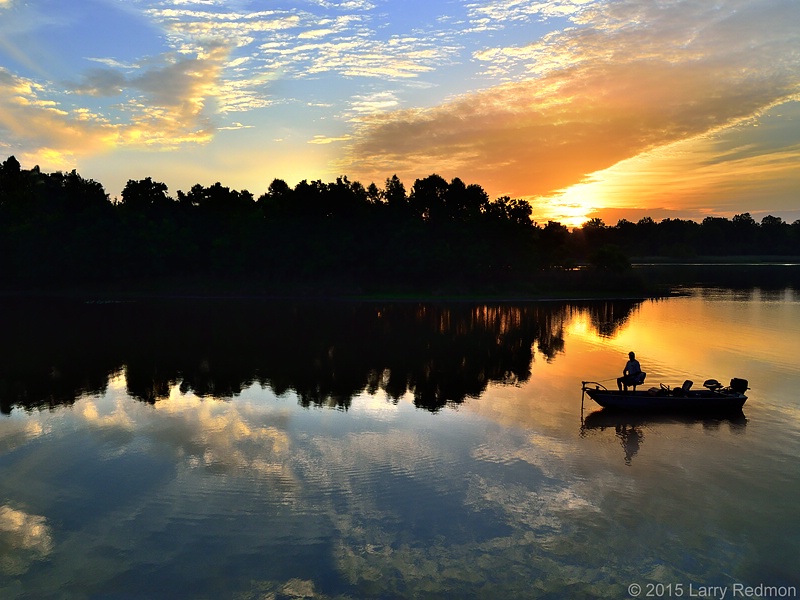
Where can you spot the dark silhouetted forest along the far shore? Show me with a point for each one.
(61, 231)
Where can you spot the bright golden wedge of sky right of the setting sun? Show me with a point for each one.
(730, 172)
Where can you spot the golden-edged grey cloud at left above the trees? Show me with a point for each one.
(164, 102)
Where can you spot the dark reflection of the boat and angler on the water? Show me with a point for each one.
(629, 427)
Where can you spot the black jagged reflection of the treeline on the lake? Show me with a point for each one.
(326, 353)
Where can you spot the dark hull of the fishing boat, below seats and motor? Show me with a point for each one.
(693, 401)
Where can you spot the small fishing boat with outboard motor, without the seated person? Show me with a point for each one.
(714, 398)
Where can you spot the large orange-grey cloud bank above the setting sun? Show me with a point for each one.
(631, 76)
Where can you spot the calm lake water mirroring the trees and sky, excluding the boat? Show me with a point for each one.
(253, 450)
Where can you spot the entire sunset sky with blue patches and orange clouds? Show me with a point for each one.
(587, 108)
